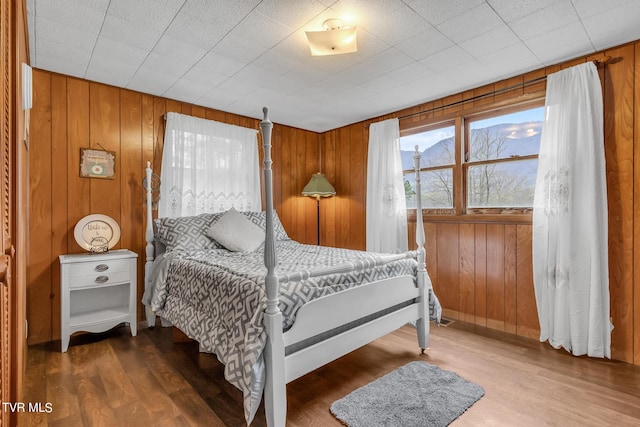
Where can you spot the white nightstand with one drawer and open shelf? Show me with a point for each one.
(97, 292)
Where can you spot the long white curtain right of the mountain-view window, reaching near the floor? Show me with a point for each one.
(570, 254)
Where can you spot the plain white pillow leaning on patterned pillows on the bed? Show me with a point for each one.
(235, 232)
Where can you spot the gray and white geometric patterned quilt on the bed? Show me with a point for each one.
(218, 298)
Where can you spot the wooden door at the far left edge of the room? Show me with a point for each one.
(13, 51)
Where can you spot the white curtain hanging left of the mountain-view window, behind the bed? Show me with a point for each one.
(386, 203)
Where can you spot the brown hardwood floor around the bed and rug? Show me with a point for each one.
(114, 379)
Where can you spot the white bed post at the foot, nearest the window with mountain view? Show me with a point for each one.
(423, 322)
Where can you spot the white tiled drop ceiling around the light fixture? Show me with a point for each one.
(238, 55)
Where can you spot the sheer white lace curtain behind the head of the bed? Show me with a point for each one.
(208, 166)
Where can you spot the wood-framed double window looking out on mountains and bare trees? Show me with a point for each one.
(494, 172)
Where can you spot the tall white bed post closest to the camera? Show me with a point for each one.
(275, 391)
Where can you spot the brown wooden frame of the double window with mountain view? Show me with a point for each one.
(461, 120)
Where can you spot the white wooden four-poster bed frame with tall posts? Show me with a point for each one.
(335, 310)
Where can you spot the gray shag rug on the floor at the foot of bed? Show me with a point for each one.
(416, 394)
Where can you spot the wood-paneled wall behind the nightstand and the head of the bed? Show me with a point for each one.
(71, 114)
